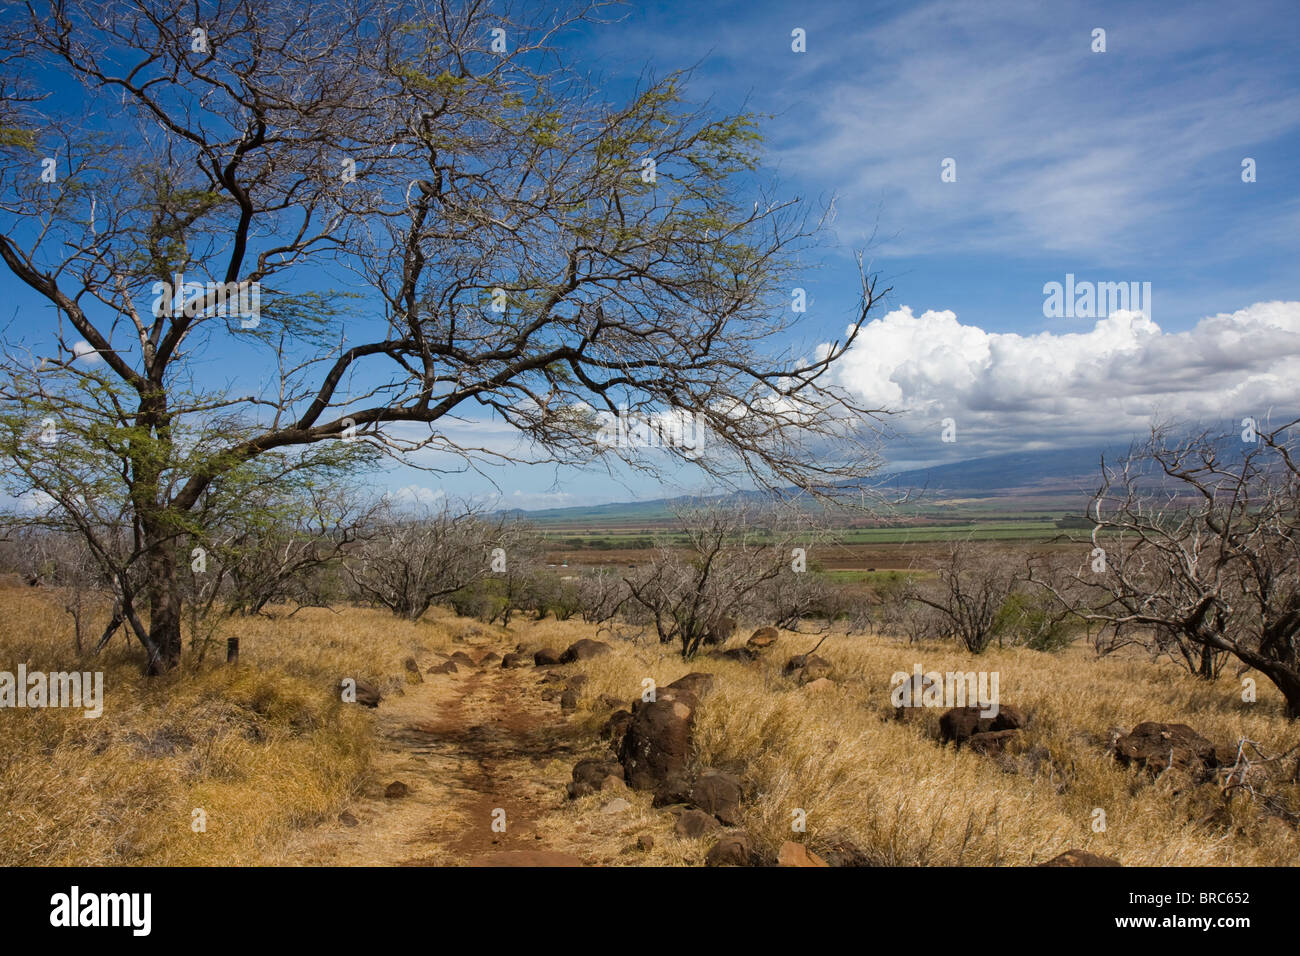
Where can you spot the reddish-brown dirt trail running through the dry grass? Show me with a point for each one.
(467, 745)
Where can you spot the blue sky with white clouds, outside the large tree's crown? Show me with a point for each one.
(1117, 167)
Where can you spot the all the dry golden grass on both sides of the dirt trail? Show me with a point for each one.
(268, 751)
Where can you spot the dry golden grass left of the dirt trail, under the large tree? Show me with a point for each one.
(263, 749)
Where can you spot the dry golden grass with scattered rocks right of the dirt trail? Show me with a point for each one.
(902, 798)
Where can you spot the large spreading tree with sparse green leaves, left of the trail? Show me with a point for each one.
(500, 240)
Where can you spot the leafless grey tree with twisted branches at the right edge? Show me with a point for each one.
(1198, 542)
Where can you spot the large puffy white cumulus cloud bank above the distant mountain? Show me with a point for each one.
(1008, 390)
